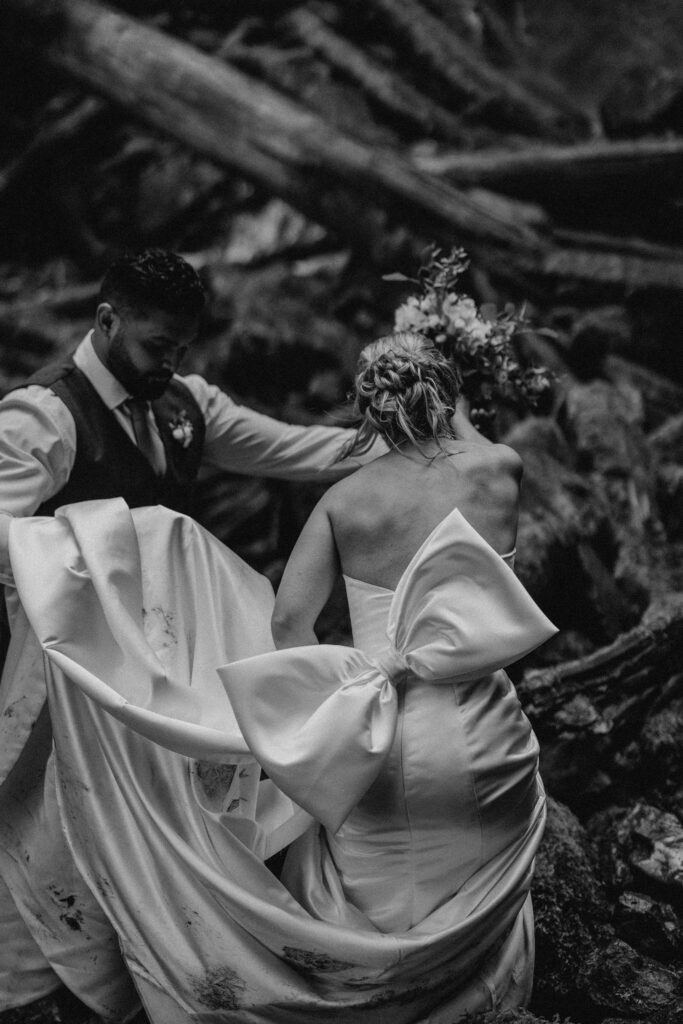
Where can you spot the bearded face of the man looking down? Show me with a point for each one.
(144, 349)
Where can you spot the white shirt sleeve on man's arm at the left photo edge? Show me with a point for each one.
(37, 453)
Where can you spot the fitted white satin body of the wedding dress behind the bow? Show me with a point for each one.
(447, 800)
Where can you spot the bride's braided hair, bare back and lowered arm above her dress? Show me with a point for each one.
(370, 526)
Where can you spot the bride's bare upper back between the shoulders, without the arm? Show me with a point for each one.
(382, 515)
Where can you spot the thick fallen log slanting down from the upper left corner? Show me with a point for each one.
(360, 192)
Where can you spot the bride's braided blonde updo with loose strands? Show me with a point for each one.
(406, 391)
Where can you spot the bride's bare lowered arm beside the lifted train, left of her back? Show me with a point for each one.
(307, 584)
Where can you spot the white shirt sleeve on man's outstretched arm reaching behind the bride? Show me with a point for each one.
(241, 441)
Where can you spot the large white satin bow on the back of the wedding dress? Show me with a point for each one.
(322, 719)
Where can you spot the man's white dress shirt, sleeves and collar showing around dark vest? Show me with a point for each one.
(38, 441)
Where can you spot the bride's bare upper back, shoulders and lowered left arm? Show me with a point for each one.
(370, 526)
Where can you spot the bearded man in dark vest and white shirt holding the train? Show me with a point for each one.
(116, 420)
